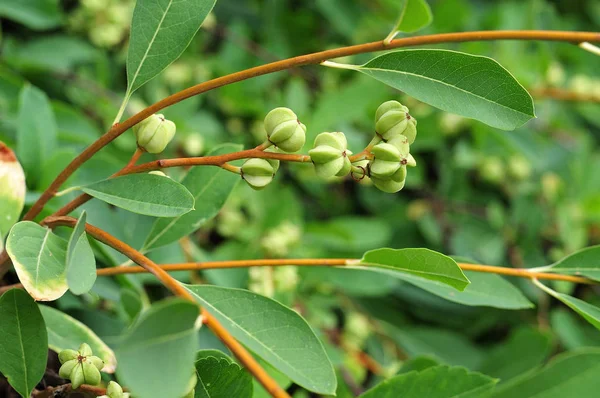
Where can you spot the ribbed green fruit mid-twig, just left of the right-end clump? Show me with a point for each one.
(330, 155)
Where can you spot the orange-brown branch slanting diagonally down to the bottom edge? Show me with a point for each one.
(174, 286)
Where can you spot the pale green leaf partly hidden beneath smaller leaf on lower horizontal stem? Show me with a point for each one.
(487, 290)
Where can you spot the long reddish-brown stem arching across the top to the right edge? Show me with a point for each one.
(314, 58)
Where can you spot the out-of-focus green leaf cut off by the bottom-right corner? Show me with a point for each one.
(569, 375)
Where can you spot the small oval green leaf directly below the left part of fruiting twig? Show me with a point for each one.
(147, 194)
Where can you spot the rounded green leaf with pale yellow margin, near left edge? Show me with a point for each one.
(39, 258)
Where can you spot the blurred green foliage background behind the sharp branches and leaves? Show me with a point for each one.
(523, 198)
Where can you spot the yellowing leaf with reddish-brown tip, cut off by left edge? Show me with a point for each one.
(12, 190)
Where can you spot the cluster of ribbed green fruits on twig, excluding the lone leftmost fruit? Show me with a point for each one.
(384, 161)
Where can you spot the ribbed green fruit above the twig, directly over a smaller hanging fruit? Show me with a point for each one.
(285, 130)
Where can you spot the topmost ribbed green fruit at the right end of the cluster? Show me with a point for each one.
(392, 119)
